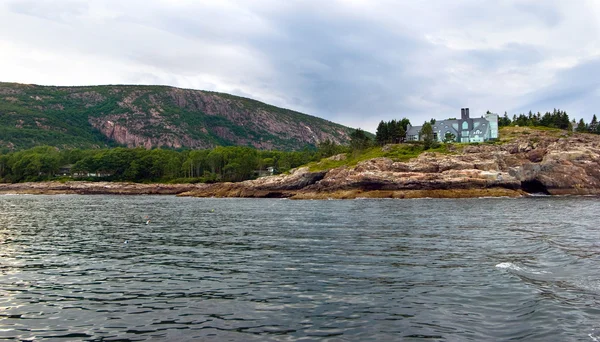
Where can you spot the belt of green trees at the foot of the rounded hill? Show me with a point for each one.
(158, 165)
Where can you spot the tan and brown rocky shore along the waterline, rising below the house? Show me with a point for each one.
(553, 163)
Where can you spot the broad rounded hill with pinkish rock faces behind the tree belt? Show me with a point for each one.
(151, 116)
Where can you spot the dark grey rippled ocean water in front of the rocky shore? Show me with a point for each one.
(90, 268)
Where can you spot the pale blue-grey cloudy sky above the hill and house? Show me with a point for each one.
(355, 62)
